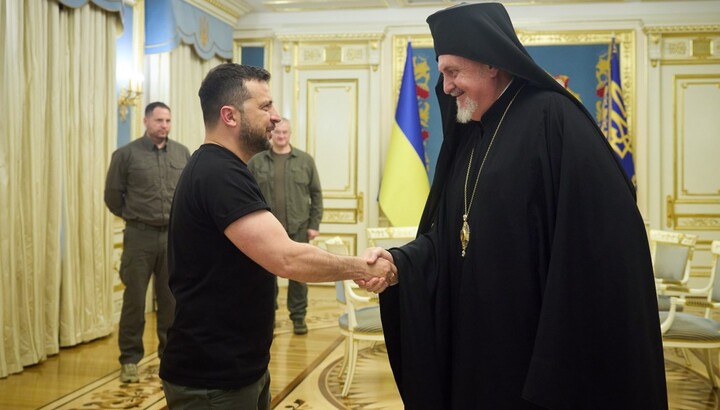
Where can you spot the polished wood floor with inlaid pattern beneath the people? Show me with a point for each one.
(304, 371)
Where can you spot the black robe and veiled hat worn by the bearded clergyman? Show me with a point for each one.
(553, 304)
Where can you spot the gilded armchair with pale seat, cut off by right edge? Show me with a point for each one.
(687, 331)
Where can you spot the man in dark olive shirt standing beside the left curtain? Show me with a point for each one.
(139, 188)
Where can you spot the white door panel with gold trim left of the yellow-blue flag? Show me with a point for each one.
(328, 85)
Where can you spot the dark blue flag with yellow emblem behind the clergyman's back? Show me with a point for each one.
(614, 120)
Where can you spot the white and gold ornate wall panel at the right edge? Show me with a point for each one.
(685, 62)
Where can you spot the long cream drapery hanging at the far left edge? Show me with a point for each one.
(58, 130)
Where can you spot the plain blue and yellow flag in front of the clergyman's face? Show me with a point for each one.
(405, 184)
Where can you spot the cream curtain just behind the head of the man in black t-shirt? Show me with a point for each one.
(187, 71)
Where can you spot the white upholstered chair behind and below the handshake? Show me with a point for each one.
(358, 323)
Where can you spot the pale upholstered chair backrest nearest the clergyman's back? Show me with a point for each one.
(672, 255)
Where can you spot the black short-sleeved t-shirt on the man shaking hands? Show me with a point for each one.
(224, 311)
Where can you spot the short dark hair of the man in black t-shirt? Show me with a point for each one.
(225, 85)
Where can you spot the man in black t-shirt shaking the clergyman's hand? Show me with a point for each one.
(224, 247)
